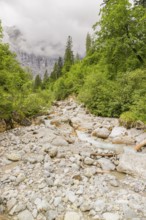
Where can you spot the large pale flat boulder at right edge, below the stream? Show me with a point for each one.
(133, 163)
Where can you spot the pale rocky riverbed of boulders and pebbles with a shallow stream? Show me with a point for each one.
(71, 167)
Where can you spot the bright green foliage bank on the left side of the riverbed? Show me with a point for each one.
(17, 93)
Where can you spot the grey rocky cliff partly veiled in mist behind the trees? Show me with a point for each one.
(35, 61)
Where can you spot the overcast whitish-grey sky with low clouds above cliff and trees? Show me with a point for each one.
(46, 24)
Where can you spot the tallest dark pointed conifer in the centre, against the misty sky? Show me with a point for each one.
(68, 57)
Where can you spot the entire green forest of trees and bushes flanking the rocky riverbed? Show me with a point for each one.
(110, 80)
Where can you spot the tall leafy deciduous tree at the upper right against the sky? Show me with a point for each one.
(121, 40)
